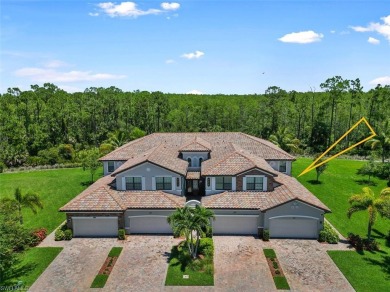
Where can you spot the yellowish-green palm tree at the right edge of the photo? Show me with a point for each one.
(374, 205)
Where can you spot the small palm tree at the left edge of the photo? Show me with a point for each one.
(29, 200)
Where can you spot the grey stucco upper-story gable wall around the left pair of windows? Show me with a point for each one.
(148, 172)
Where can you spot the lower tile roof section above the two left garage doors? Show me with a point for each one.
(101, 197)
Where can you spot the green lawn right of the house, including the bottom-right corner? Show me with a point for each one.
(363, 270)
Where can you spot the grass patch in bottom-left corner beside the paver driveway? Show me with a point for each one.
(32, 264)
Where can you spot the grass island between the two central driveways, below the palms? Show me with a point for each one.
(180, 264)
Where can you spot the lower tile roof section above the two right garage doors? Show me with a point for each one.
(290, 190)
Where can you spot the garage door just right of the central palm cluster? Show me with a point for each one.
(232, 224)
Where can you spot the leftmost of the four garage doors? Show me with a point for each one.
(95, 226)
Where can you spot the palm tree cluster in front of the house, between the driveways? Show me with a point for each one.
(189, 222)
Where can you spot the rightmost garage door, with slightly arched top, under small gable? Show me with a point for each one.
(293, 227)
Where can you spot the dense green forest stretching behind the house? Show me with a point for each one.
(46, 125)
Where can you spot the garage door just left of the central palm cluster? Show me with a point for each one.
(149, 224)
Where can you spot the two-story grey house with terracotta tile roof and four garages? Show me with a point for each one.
(245, 180)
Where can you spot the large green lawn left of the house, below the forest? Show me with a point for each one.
(56, 187)
